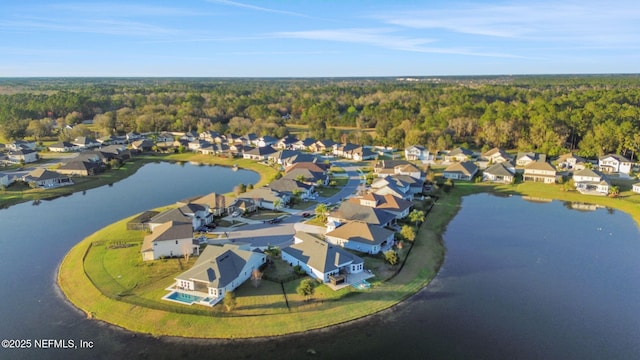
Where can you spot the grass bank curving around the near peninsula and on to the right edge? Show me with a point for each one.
(114, 285)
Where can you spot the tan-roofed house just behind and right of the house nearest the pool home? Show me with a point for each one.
(362, 237)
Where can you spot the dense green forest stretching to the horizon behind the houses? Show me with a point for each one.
(591, 115)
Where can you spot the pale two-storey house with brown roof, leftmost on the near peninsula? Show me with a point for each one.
(169, 239)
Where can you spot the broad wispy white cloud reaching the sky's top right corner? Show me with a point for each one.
(588, 21)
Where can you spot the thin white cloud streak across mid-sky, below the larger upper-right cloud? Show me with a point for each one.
(384, 38)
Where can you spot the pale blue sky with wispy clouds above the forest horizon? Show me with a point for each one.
(249, 38)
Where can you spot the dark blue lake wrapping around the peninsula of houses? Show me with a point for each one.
(521, 279)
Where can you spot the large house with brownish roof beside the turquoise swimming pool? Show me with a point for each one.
(218, 271)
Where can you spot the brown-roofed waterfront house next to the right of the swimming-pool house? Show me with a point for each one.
(321, 260)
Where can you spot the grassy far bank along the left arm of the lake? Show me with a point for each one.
(18, 193)
